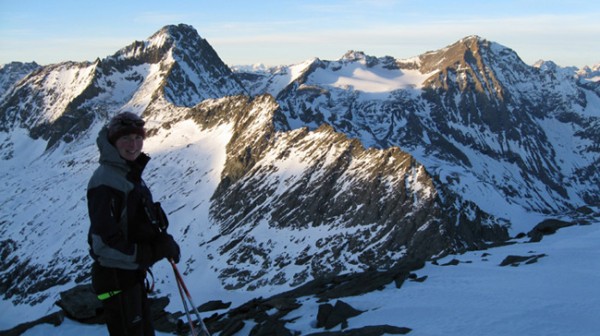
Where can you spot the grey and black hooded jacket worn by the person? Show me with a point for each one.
(120, 234)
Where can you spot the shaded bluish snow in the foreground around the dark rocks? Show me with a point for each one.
(558, 295)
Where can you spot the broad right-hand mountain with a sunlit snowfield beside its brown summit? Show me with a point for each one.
(510, 137)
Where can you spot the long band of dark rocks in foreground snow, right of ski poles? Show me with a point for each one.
(329, 315)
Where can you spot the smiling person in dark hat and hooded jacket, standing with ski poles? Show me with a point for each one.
(125, 234)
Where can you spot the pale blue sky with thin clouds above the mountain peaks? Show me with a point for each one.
(286, 32)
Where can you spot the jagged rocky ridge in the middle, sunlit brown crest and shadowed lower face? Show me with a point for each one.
(385, 197)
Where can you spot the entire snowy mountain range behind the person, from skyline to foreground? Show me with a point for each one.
(274, 177)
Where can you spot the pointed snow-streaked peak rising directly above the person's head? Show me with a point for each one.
(62, 100)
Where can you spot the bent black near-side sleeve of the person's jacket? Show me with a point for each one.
(108, 232)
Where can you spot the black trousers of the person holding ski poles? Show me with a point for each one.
(128, 313)
